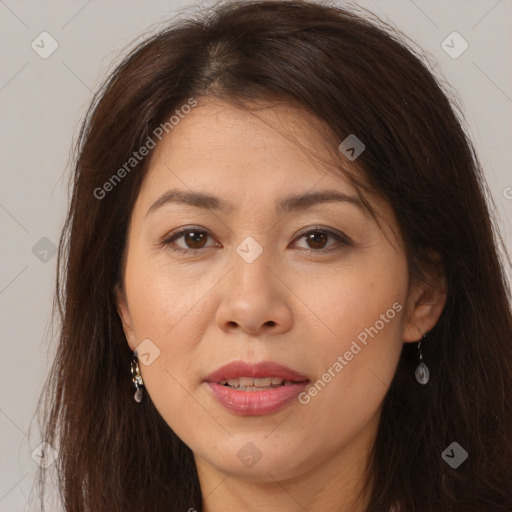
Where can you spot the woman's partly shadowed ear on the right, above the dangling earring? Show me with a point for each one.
(426, 301)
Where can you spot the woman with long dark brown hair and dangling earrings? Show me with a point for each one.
(280, 287)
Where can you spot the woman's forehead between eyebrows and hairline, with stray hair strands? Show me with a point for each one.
(244, 153)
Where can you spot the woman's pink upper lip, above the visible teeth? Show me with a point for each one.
(256, 370)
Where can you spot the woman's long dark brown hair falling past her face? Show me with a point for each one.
(357, 75)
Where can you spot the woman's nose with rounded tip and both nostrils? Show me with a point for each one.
(255, 300)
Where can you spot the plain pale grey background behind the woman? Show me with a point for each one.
(43, 101)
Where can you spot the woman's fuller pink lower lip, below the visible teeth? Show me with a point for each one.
(254, 403)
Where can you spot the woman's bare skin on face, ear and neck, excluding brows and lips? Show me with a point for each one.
(210, 307)
